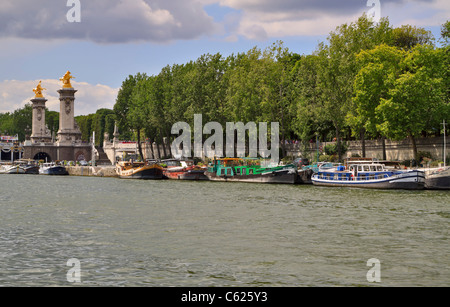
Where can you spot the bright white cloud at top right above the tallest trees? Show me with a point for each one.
(262, 19)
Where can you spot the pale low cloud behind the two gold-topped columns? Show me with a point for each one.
(88, 99)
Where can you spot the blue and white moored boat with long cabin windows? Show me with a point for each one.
(373, 176)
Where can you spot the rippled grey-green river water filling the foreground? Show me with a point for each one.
(181, 233)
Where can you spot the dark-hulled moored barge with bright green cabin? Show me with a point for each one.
(247, 170)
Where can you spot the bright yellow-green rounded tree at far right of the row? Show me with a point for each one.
(416, 98)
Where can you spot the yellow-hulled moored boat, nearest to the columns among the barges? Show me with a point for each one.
(139, 170)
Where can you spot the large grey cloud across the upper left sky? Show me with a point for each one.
(113, 21)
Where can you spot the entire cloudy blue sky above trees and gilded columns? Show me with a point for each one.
(103, 42)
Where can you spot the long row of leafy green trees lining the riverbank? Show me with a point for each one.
(368, 80)
